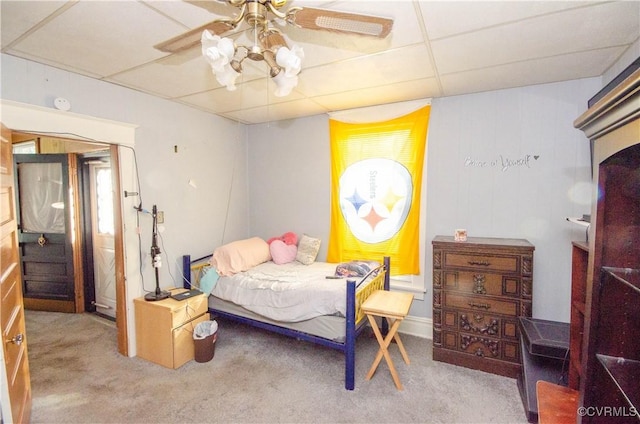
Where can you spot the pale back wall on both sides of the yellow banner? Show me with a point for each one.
(528, 201)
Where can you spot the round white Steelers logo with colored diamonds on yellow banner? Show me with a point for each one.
(375, 198)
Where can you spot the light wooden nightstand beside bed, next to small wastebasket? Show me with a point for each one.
(164, 328)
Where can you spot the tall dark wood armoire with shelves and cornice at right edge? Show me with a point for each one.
(609, 364)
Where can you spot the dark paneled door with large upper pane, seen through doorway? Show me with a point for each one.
(47, 227)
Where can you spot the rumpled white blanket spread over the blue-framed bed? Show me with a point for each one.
(290, 293)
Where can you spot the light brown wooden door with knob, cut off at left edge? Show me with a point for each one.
(12, 321)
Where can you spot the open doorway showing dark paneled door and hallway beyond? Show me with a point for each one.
(90, 276)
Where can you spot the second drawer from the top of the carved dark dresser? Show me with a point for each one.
(482, 283)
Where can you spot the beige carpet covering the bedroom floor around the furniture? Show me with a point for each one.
(77, 376)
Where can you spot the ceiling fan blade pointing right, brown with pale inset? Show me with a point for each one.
(330, 20)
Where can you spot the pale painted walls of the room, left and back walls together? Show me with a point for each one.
(288, 167)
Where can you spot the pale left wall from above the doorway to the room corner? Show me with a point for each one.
(211, 151)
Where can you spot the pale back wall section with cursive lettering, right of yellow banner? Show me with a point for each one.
(468, 186)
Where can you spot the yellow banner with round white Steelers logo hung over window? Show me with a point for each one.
(376, 181)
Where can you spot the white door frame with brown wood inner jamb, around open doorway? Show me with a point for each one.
(33, 119)
